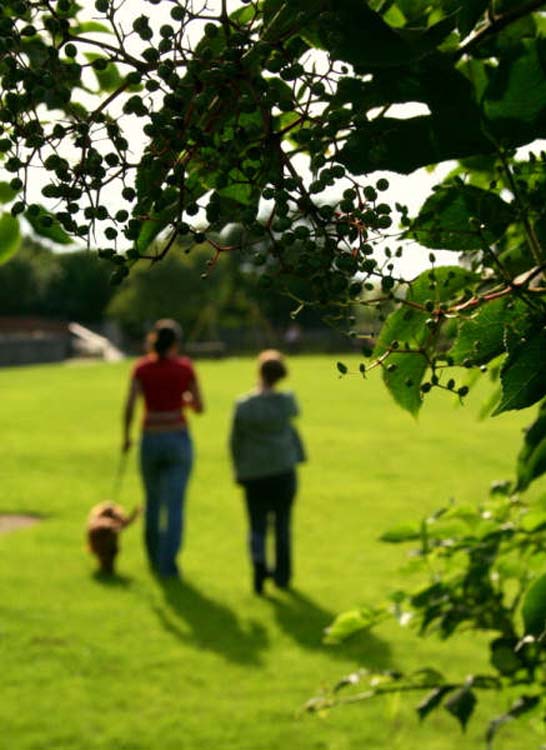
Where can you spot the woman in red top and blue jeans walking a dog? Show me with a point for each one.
(168, 385)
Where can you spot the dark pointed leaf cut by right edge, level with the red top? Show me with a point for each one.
(522, 374)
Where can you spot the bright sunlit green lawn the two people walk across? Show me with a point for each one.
(134, 665)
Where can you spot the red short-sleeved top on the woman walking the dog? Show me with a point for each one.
(163, 382)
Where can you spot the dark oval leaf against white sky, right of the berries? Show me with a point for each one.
(444, 220)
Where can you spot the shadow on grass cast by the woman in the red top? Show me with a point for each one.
(195, 618)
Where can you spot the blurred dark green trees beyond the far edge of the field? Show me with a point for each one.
(75, 285)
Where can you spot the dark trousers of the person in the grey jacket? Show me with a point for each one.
(270, 499)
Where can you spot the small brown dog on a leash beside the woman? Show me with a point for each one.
(105, 522)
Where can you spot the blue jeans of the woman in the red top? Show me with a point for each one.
(166, 460)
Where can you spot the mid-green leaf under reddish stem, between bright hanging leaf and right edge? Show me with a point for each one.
(480, 338)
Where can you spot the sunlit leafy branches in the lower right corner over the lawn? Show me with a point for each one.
(483, 566)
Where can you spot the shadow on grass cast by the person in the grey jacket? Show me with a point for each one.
(304, 620)
